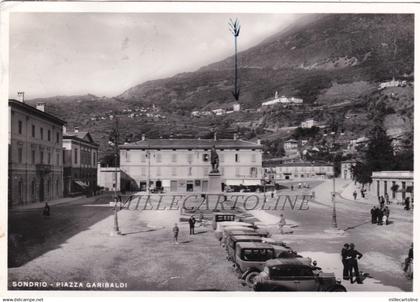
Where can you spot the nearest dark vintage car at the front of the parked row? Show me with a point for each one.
(296, 274)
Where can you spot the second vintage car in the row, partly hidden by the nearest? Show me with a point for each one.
(250, 258)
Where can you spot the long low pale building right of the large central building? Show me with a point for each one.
(298, 170)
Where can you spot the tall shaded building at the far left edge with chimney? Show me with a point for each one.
(35, 154)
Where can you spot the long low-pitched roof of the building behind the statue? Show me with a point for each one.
(191, 144)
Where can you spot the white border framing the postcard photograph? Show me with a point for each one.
(183, 7)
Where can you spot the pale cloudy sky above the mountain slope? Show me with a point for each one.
(106, 53)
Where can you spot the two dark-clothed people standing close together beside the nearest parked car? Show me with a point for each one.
(349, 258)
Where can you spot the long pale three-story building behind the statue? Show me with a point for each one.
(183, 165)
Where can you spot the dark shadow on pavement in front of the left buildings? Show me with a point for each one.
(31, 234)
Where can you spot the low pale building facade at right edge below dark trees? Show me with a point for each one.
(397, 184)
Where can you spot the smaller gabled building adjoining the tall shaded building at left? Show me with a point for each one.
(80, 158)
